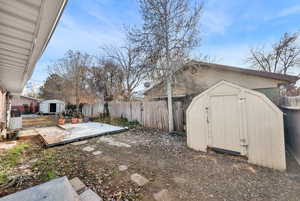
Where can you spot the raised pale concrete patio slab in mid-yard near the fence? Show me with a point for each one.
(67, 133)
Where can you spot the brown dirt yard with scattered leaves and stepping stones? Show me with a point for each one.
(163, 159)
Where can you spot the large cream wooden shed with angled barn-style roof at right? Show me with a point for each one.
(237, 120)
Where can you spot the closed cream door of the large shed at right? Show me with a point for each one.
(225, 123)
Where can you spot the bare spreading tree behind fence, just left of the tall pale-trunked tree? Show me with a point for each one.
(132, 63)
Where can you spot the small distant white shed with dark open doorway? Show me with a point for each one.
(52, 106)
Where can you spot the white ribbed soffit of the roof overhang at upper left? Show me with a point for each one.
(26, 27)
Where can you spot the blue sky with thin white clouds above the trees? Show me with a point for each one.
(228, 28)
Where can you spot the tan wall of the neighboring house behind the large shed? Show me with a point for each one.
(193, 81)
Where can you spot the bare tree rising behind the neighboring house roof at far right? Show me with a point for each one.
(283, 56)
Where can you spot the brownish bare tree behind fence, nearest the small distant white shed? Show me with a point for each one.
(72, 69)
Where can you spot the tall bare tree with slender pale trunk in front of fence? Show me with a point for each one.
(169, 32)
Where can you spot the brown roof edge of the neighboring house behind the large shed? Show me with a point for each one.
(275, 76)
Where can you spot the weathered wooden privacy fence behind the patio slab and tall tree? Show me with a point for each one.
(152, 114)
